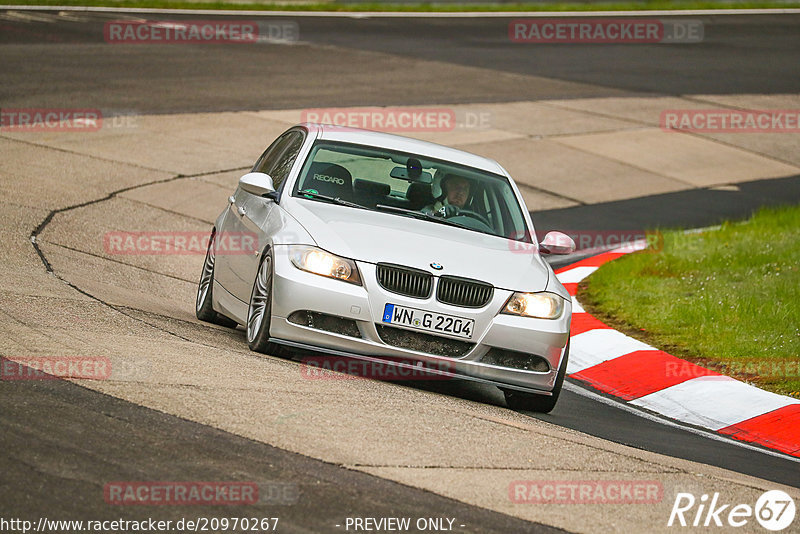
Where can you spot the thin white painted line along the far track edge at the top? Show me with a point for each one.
(423, 14)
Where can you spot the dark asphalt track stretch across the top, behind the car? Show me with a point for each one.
(65, 63)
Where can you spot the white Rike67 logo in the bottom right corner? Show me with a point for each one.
(774, 510)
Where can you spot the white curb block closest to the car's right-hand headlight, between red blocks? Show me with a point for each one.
(600, 345)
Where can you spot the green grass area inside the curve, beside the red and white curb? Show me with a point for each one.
(727, 299)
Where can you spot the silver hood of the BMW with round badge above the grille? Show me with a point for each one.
(374, 237)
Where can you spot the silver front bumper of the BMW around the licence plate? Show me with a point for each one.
(296, 291)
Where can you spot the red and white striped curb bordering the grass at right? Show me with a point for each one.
(646, 377)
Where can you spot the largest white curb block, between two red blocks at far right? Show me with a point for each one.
(713, 402)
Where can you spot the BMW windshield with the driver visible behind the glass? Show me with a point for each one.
(409, 185)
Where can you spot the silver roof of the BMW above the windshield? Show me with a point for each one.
(344, 134)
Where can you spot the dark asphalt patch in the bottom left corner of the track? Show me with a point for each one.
(62, 444)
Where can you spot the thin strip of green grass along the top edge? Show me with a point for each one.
(301, 5)
